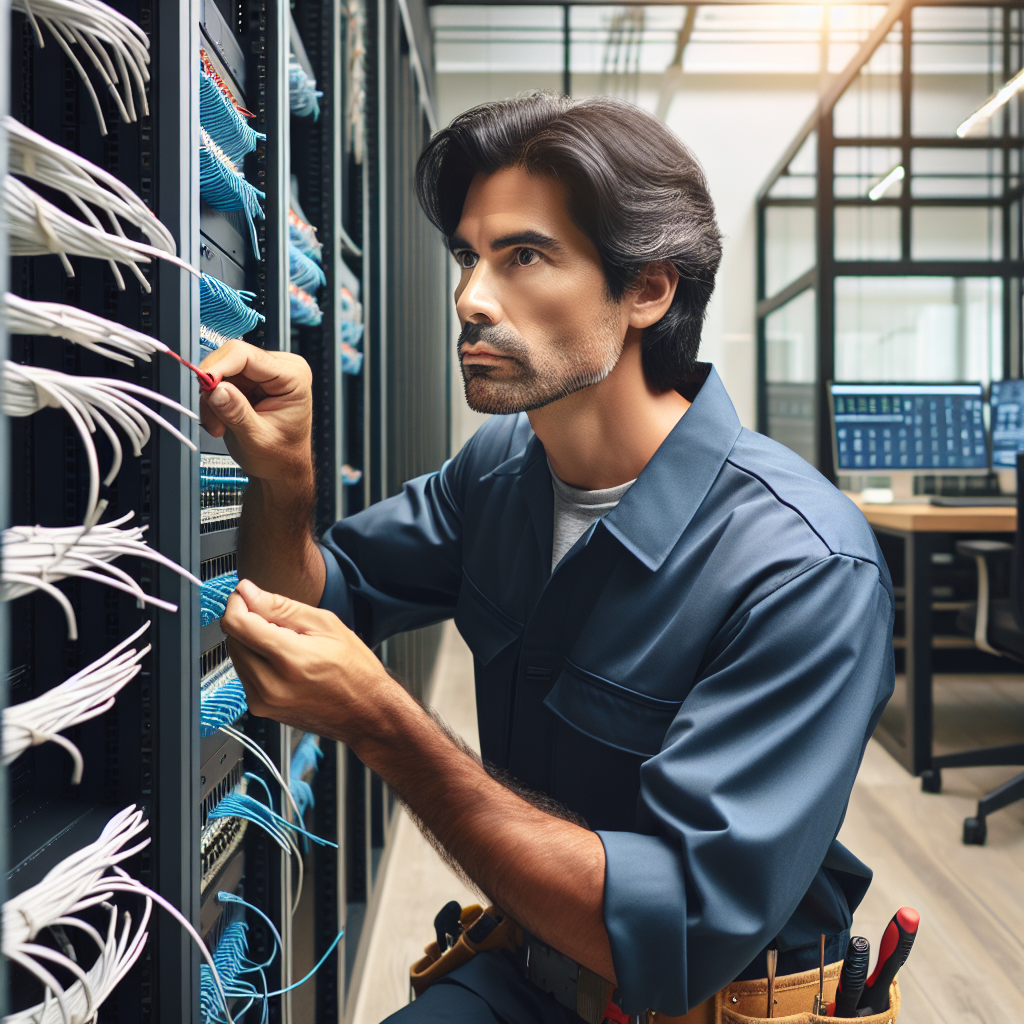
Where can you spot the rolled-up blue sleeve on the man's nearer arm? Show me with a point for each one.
(750, 788)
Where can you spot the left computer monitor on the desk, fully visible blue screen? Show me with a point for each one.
(909, 429)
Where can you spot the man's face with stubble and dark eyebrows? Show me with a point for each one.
(538, 322)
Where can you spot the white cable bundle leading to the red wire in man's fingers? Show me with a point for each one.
(95, 333)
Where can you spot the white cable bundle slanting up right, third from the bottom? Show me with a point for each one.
(86, 696)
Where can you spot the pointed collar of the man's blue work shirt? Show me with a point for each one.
(654, 514)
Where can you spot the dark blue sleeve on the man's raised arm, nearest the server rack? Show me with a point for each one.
(398, 565)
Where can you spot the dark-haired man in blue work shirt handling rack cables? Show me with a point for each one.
(682, 634)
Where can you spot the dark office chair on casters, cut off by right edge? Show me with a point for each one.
(998, 627)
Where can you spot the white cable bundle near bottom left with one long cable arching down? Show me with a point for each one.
(89, 878)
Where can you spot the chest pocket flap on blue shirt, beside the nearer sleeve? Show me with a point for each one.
(621, 718)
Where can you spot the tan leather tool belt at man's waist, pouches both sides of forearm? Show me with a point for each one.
(740, 1003)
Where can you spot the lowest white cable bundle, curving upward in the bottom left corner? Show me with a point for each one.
(118, 955)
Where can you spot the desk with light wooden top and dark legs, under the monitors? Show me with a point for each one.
(918, 526)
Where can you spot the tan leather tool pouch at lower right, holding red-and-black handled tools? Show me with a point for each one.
(747, 1003)
